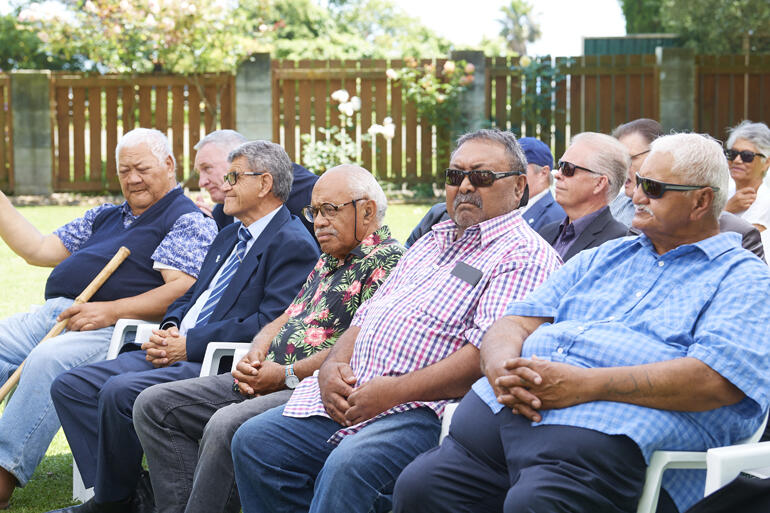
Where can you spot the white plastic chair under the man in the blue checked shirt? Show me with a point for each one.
(723, 464)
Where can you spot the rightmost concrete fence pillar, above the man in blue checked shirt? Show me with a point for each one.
(676, 91)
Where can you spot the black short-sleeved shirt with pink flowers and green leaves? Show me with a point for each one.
(334, 290)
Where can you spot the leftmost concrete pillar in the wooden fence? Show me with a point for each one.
(32, 161)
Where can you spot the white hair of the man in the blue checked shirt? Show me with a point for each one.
(699, 160)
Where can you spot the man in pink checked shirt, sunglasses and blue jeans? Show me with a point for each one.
(341, 441)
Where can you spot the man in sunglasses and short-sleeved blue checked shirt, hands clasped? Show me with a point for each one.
(644, 343)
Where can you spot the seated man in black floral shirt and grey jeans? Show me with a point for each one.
(185, 427)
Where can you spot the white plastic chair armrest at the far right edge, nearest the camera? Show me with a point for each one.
(723, 464)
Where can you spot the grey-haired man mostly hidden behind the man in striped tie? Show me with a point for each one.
(211, 165)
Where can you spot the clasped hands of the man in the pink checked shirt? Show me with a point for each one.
(349, 406)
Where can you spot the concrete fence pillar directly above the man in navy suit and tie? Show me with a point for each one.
(254, 99)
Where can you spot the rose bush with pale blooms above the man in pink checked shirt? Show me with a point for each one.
(435, 95)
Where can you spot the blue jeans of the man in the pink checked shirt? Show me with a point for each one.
(284, 464)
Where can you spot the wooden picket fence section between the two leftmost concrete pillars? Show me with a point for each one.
(91, 112)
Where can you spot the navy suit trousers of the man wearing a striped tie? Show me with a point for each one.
(94, 404)
